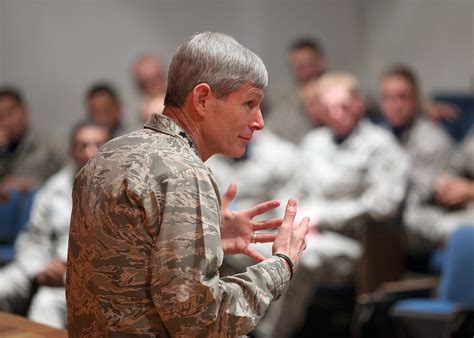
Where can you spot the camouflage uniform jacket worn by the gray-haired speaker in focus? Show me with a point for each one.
(145, 247)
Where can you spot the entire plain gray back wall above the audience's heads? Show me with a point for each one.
(54, 49)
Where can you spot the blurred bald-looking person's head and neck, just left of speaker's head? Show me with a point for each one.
(150, 80)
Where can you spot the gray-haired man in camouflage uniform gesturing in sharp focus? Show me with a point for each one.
(148, 229)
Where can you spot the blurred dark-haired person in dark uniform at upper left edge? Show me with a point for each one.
(27, 157)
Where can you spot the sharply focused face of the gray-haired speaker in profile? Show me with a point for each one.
(232, 121)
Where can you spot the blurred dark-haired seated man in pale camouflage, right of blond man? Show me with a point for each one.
(431, 153)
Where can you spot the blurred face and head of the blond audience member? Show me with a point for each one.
(343, 110)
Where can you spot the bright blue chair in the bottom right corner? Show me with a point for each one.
(437, 317)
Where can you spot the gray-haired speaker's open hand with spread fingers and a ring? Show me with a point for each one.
(237, 227)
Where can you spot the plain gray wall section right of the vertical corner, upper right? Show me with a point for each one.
(435, 37)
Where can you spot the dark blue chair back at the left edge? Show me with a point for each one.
(14, 214)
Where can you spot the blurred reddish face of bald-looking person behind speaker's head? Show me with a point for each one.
(150, 77)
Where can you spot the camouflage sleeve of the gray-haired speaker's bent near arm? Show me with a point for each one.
(191, 298)
